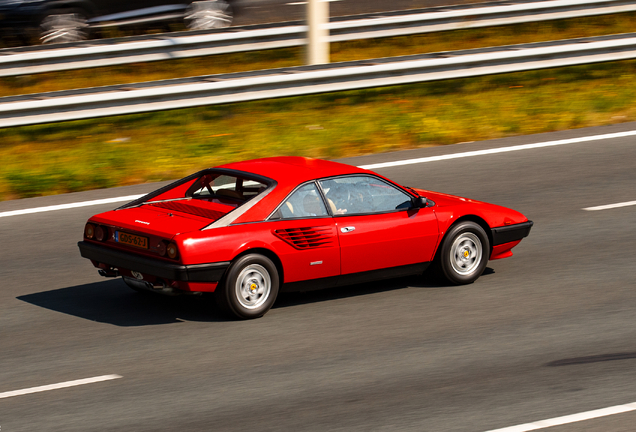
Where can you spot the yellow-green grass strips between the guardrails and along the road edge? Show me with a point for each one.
(89, 154)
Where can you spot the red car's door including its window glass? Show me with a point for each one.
(376, 226)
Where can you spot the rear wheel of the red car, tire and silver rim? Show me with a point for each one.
(249, 287)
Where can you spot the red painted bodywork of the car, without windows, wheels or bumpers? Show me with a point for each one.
(214, 230)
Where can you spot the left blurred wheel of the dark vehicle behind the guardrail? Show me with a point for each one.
(64, 26)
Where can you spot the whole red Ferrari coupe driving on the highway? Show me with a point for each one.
(248, 230)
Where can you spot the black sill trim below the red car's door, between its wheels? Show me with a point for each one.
(355, 278)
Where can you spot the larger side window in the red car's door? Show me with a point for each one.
(363, 194)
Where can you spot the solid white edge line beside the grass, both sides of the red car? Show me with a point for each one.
(371, 166)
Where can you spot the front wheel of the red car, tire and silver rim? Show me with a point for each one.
(463, 254)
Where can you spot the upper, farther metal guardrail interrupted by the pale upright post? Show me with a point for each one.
(31, 60)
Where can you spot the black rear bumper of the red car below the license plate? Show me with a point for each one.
(209, 272)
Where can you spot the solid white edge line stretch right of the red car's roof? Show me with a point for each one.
(499, 150)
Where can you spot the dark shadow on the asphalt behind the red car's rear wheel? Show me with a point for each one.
(112, 302)
